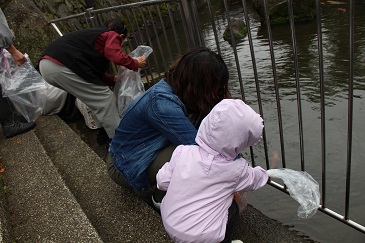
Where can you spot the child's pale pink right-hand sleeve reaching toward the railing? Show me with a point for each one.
(252, 179)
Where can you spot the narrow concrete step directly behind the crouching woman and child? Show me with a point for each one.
(117, 214)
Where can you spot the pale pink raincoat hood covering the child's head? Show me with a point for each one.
(229, 128)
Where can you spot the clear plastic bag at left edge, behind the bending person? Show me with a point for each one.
(23, 85)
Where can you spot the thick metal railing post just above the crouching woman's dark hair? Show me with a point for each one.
(192, 24)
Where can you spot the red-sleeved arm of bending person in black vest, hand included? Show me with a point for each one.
(114, 53)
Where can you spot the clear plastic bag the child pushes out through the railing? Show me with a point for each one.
(302, 187)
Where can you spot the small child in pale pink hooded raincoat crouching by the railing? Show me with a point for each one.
(201, 179)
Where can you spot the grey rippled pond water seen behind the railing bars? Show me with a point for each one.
(335, 28)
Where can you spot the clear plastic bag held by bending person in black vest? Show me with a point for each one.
(128, 84)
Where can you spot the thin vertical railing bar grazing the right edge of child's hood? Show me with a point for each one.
(254, 67)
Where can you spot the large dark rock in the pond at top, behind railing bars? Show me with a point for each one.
(279, 14)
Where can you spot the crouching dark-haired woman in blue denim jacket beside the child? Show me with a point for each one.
(165, 116)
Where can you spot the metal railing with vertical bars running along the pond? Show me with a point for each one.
(169, 27)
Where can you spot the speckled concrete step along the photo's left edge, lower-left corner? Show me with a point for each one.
(38, 204)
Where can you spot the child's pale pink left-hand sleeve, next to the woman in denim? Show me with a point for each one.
(164, 175)
